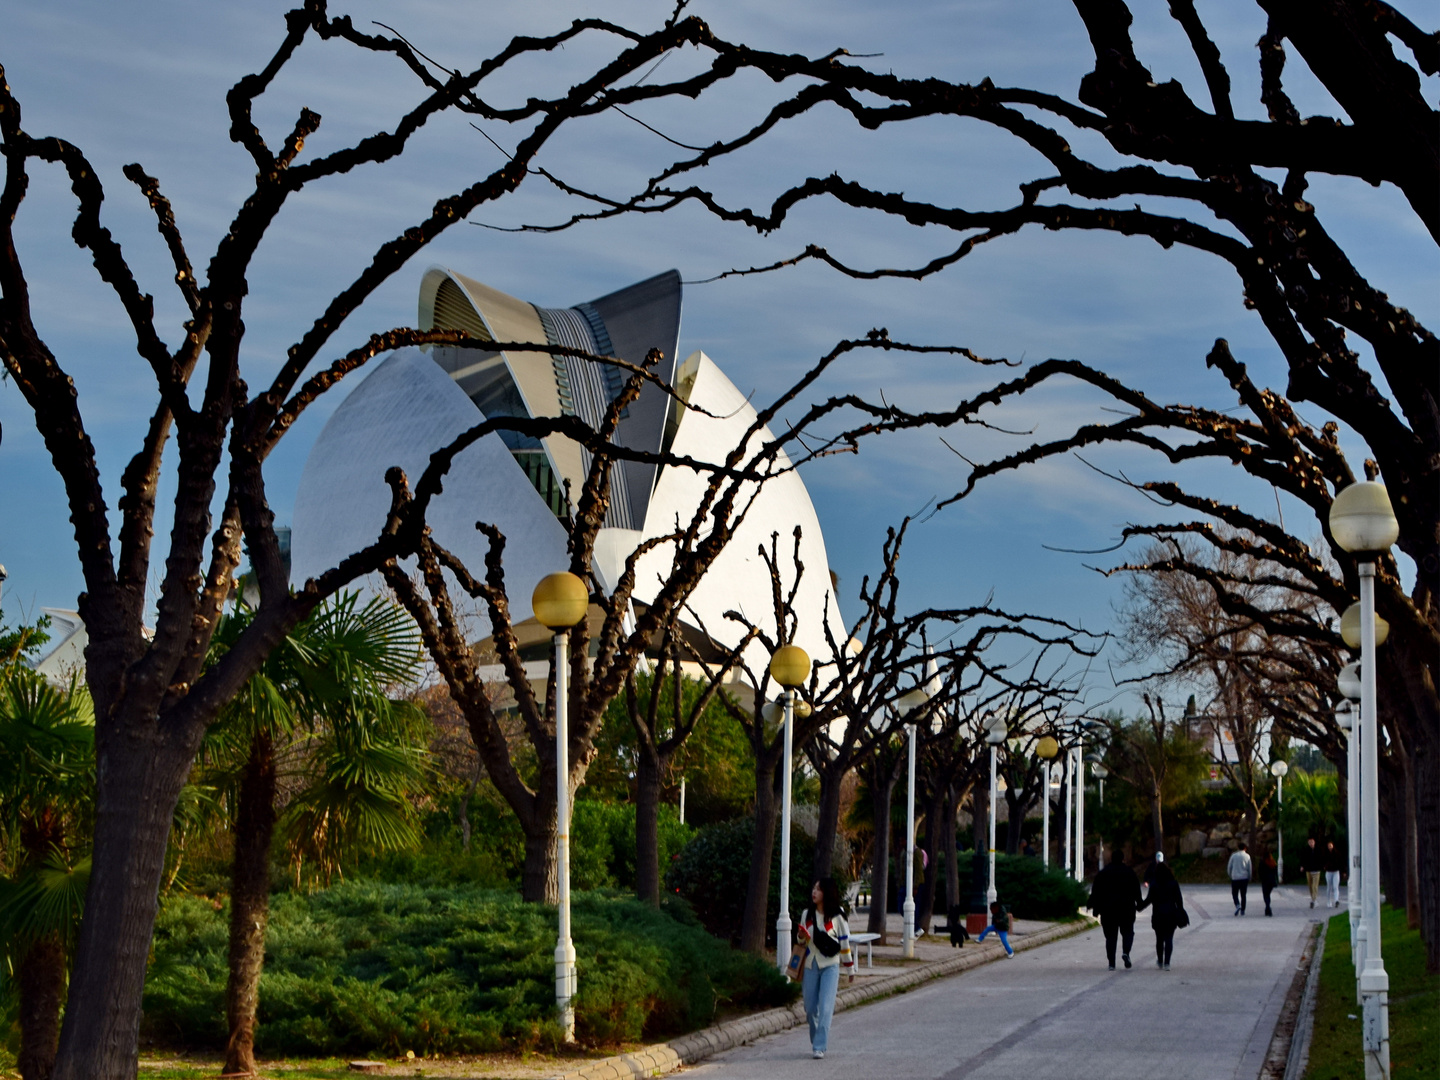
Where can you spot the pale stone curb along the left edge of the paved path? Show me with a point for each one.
(686, 1050)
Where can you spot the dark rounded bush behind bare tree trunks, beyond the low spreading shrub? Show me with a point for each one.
(714, 870)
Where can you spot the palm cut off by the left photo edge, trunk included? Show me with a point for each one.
(47, 797)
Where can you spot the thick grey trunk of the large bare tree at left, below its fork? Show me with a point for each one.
(140, 771)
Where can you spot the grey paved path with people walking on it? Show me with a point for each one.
(1059, 1013)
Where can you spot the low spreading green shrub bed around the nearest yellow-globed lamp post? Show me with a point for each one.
(385, 968)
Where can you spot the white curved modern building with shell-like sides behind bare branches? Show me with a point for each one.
(417, 401)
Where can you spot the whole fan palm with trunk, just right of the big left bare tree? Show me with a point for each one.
(320, 702)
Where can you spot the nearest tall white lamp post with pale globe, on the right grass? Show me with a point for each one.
(1363, 523)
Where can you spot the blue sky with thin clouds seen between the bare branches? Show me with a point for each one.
(146, 83)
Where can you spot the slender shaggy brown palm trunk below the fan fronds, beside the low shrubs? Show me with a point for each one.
(250, 904)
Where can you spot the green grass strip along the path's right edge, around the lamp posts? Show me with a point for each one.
(1415, 1006)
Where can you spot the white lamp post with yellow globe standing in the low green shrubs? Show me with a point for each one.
(559, 603)
